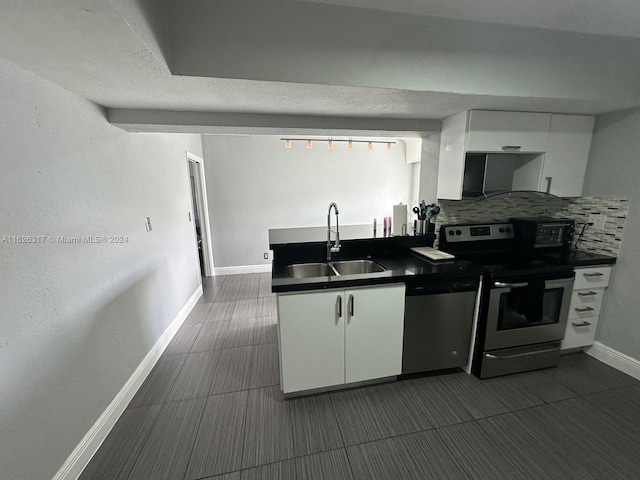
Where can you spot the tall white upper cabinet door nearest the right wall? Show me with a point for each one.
(567, 154)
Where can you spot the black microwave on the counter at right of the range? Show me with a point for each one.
(543, 232)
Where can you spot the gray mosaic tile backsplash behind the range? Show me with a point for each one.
(607, 214)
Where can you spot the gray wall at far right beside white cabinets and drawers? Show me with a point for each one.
(614, 170)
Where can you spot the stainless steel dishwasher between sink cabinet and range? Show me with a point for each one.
(437, 325)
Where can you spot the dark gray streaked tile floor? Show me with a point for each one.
(212, 408)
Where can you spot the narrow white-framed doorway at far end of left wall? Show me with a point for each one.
(199, 214)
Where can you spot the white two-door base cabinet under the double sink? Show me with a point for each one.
(336, 337)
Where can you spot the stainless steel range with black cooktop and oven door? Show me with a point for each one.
(524, 299)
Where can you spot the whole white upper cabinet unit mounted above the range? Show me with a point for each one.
(537, 151)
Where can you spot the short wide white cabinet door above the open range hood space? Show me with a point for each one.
(491, 131)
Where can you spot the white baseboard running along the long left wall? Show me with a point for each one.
(86, 449)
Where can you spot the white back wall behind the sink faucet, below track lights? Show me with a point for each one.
(254, 184)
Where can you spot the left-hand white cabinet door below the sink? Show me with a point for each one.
(311, 334)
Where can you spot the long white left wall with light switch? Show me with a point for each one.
(77, 319)
